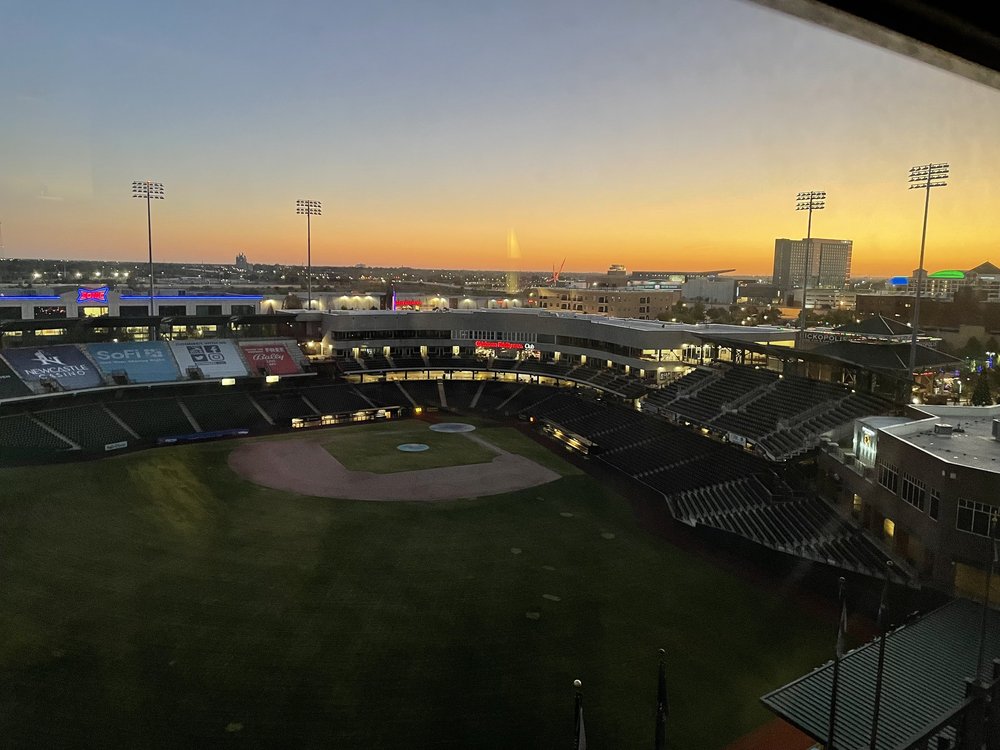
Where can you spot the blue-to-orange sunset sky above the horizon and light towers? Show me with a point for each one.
(669, 134)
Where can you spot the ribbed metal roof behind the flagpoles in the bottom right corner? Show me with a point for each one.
(926, 665)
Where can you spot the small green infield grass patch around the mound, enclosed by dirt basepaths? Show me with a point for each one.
(374, 448)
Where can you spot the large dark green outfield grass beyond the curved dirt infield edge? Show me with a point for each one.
(157, 600)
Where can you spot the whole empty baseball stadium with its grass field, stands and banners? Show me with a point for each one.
(417, 529)
